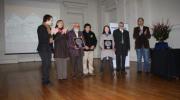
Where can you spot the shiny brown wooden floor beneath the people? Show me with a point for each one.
(22, 82)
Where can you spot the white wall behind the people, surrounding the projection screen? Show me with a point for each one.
(101, 12)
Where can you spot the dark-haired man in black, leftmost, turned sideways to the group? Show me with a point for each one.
(44, 48)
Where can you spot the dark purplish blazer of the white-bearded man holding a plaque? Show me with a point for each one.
(71, 44)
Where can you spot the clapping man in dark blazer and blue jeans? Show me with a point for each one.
(142, 35)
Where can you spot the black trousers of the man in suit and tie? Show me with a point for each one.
(120, 62)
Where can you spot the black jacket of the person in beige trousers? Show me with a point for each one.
(90, 39)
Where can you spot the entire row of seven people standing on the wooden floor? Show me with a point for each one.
(64, 44)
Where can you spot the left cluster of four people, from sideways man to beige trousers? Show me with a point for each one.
(61, 42)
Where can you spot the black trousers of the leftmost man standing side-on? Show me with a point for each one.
(46, 64)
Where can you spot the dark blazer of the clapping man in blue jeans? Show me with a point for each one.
(141, 40)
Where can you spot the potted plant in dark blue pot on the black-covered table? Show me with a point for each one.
(161, 32)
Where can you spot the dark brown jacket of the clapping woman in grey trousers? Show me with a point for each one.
(60, 45)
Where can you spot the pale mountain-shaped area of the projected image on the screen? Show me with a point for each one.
(21, 34)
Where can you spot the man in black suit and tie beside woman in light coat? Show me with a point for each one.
(122, 46)
